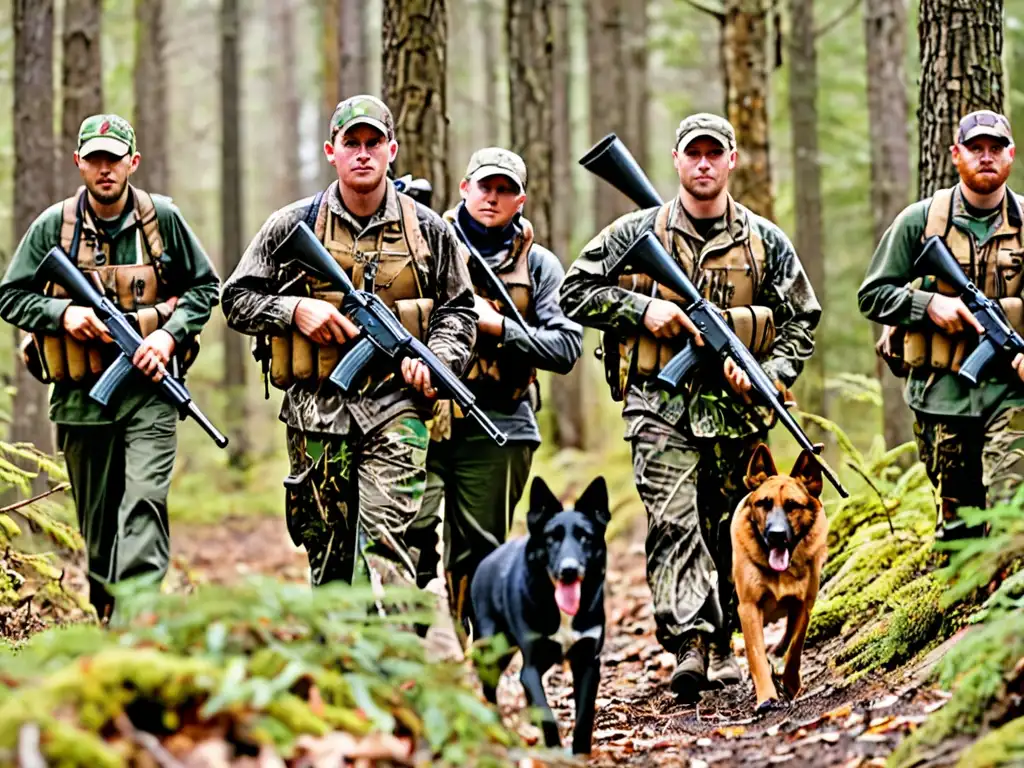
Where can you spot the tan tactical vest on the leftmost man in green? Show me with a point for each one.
(140, 290)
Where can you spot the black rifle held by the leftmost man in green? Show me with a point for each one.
(58, 268)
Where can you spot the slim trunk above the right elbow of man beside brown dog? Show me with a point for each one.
(807, 184)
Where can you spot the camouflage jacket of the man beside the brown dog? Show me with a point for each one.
(591, 296)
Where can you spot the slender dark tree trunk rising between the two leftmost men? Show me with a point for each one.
(231, 212)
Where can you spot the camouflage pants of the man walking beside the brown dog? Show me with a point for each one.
(691, 488)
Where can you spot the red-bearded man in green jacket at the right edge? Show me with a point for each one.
(970, 438)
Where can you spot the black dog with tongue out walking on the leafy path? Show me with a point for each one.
(546, 594)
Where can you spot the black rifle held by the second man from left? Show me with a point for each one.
(381, 331)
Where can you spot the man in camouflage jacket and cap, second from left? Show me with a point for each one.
(360, 459)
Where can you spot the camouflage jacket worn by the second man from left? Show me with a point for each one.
(253, 306)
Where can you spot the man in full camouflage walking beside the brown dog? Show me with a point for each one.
(691, 450)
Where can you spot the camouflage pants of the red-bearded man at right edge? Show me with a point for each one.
(971, 462)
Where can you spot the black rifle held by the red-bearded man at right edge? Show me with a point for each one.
(1000, 336)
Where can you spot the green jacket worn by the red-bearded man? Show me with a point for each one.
(887, 297)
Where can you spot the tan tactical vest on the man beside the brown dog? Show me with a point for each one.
(729, 278)
